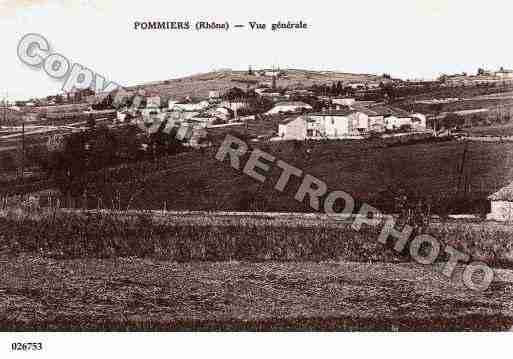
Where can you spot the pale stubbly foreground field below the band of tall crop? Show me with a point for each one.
(140, 294)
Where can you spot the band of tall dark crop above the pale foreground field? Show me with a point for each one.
(65, 234)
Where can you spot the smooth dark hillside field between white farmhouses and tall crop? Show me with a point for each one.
(197, 181)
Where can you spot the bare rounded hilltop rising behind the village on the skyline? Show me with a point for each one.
(200, 84)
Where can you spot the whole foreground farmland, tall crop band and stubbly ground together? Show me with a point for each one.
(78, 271)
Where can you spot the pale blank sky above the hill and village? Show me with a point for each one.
(406, 38)
